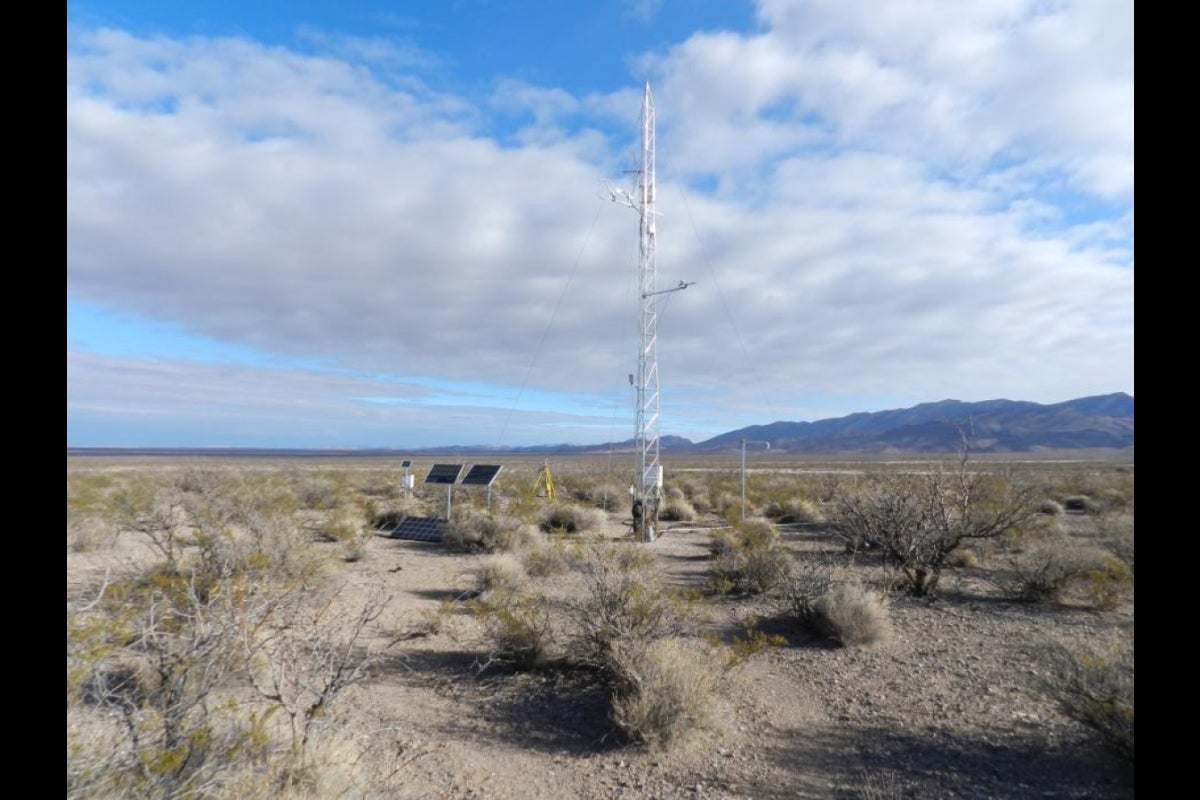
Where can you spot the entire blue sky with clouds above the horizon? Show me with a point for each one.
(389, 225)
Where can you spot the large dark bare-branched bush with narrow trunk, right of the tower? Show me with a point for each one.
(917, 521)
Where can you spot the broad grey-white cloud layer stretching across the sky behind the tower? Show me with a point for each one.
(886, 215)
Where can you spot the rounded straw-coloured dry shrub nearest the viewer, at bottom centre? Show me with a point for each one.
(663, 689)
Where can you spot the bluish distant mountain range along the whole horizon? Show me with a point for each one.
(1105, 422)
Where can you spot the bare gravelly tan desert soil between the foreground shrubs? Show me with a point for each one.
(947, 708)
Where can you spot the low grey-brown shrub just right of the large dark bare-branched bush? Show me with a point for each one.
(1046, 569)
